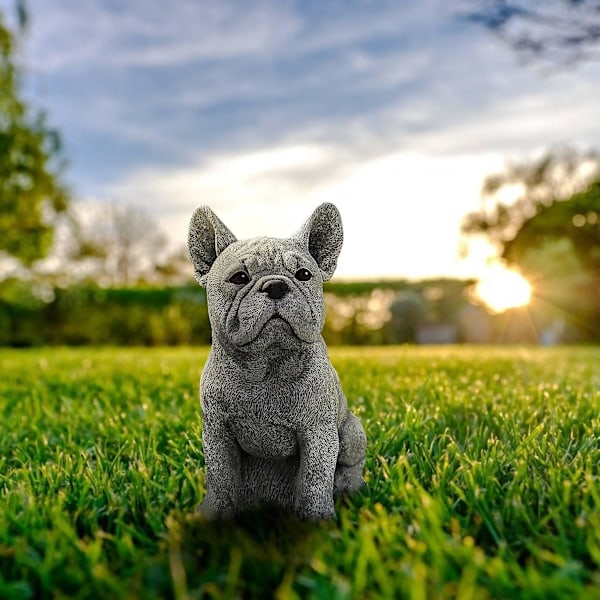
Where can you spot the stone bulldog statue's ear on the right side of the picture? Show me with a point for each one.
(322, 235)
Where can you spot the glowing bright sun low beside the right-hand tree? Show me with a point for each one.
(502, 288)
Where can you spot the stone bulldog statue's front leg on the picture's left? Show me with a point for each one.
(223, 468)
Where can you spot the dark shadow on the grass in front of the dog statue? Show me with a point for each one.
(259, 551)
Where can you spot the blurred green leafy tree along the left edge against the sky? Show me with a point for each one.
(31, 164)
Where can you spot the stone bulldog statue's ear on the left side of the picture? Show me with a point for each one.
(207, 238)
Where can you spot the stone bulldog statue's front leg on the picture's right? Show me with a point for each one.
(318, 457)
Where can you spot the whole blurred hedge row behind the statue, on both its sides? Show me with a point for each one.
(387, 312)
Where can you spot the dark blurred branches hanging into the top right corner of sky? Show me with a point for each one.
(554, 31)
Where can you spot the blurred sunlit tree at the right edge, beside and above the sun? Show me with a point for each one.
(551, 232)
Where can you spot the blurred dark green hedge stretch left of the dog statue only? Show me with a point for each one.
(31, 316)
